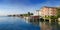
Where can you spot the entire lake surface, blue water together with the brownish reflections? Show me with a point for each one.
(16, 23)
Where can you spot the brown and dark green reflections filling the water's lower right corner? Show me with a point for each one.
(49, 26)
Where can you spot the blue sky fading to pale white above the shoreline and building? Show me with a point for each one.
(24, 6)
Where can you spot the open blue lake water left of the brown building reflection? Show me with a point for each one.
(15, 23)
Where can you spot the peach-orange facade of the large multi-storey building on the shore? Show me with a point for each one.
(49, 11)
